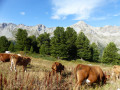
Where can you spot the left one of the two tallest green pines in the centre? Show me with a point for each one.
(58, 46)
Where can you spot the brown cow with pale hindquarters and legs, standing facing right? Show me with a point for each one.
(19, 60)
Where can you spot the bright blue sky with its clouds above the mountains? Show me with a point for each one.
(52, 13)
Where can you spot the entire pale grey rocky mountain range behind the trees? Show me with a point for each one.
(100, 35)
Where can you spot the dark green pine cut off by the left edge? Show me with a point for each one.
(4, 44)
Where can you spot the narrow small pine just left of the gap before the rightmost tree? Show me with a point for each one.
(94, 53)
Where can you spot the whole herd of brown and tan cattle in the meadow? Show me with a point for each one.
(83, 73)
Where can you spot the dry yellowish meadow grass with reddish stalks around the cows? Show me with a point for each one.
(37, 77)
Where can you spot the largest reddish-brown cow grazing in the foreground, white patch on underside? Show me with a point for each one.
(89, 74)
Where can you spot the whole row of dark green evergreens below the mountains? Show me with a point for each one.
(65, 44)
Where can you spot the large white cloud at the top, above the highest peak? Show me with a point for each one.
(81, 9)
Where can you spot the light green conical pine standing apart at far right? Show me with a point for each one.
(110, 54)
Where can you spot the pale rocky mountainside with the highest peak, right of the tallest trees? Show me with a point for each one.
(100, 35)
